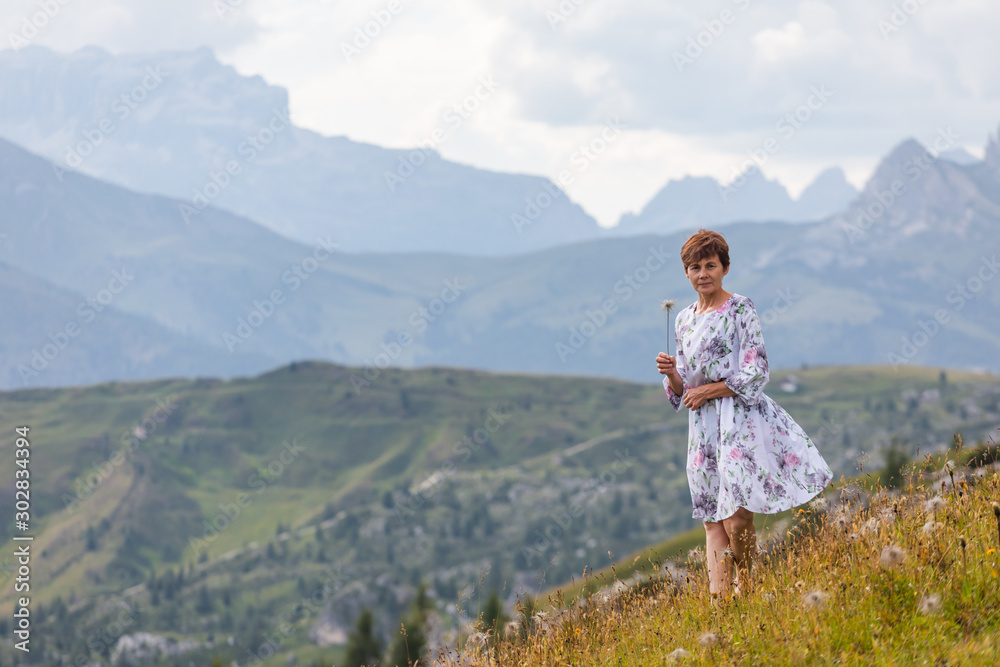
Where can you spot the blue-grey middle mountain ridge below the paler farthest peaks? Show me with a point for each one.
(526, 312)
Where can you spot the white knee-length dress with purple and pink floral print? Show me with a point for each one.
(743, 450)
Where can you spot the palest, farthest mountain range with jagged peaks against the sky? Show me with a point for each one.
(170, 123)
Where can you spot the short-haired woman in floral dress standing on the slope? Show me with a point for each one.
(745, 453)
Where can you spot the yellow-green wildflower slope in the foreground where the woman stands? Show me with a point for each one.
(868, 576)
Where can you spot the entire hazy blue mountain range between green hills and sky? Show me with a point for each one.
(114, 283)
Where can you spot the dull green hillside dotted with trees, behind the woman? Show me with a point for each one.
(217, 506)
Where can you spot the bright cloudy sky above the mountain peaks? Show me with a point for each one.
(696, 85)
